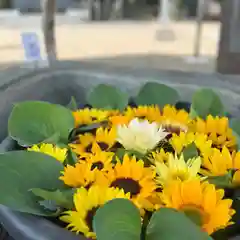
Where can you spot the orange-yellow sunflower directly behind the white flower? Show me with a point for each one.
(150, 113)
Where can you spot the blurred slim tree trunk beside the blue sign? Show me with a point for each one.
(48, 25)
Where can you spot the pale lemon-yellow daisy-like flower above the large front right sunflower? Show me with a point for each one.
(177, 168)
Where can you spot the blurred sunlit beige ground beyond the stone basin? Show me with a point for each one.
(121, 43)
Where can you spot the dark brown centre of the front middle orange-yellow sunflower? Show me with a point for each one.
(128, 185)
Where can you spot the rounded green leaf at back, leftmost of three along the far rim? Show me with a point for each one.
(107, 97)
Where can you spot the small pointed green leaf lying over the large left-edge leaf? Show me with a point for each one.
(62, 198)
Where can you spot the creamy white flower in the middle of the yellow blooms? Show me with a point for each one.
(140, 135)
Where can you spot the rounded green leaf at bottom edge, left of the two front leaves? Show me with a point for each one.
(118, 219)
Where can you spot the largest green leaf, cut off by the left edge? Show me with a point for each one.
(23, 170)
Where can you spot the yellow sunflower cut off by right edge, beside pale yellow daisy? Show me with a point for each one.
(220, 162)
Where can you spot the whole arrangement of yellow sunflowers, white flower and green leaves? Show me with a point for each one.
(118, 169)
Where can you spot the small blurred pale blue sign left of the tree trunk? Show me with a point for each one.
(31, 46)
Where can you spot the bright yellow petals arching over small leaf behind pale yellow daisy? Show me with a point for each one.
(203, 144)
